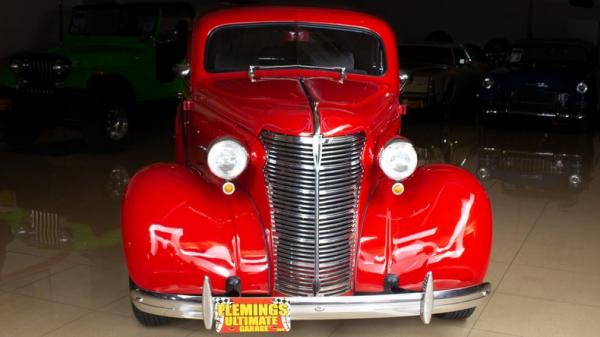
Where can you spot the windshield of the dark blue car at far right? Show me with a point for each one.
(549, 56)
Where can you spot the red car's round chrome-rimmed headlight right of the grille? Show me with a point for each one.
(398, 159)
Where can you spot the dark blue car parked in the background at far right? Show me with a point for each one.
(555, 79)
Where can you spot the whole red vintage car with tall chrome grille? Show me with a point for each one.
(293, 195)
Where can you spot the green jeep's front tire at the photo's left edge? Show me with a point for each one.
(22, 128)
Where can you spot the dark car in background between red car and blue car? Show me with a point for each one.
(439, 76)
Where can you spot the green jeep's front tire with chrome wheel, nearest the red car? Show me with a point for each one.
(107, 128)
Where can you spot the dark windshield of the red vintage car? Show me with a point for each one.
(236, 48)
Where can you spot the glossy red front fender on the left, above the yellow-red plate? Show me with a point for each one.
(177, 228)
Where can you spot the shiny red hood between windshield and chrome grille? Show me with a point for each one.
(282, 105)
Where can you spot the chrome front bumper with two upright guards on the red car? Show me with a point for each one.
(422, 304)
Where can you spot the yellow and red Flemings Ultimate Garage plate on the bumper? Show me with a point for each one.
(247, 314)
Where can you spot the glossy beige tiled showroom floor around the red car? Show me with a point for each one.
(62, 272)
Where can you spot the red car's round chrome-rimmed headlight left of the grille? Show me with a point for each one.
(227, 159)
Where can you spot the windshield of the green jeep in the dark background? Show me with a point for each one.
(114, 21)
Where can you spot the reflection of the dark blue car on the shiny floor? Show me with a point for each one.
(538, 158)
